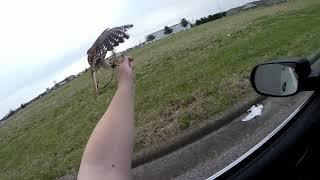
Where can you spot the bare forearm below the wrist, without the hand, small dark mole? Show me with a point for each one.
(110, 145)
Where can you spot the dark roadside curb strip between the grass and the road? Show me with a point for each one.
(192, 135)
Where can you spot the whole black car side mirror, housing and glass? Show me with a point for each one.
(280, 78)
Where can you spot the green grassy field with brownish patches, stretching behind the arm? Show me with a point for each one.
(181, 81)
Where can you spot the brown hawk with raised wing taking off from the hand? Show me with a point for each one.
(109, 39)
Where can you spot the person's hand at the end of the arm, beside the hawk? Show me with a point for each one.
(125, 75)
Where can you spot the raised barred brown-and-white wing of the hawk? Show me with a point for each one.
(109, 39)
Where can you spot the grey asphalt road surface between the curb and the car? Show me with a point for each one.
(213, 152)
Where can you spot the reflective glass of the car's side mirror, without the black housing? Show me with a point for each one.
(276, 79)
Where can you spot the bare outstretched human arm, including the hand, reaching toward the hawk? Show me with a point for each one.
(109, 150)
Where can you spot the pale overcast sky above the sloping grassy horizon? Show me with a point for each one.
(43, 41)
